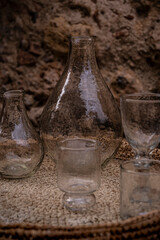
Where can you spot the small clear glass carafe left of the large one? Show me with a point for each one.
(21, 150)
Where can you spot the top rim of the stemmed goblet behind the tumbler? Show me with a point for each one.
(133, 97)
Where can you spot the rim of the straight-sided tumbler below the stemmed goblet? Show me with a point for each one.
(132, 162)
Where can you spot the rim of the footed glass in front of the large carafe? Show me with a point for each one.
(93, 146)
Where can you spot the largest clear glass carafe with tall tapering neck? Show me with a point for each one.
(81, 105)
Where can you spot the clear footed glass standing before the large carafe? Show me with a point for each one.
(78, 168)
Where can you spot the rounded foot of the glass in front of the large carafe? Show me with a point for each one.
(78, 202)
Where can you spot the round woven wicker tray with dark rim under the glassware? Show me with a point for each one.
(32, 208)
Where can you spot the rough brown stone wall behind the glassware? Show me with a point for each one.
(34, 44)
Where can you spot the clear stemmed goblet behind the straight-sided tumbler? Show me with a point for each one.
(141, 122)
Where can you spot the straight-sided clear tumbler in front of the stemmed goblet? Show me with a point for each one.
(139, 187)
